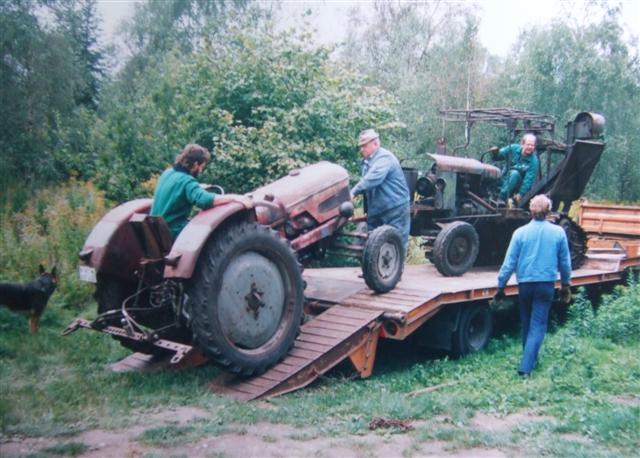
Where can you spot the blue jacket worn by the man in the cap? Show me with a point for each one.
(383, 182)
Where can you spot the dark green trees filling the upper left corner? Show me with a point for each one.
(47, 70)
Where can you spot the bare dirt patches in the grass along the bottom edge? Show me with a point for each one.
(266, 440)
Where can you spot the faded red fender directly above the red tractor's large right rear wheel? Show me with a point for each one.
(181, 261)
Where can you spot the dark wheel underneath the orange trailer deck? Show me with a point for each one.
(474, 330)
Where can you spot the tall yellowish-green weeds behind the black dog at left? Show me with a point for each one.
(49, 228)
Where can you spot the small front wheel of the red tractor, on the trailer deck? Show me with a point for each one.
(383, 259)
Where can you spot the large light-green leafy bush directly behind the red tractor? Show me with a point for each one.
(265, 102)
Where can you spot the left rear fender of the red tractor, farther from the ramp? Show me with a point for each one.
(111, 246)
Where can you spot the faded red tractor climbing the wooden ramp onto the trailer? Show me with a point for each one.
(231, 283)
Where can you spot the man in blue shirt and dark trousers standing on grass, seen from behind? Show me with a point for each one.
(536, 253)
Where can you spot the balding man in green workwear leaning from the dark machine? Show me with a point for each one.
(522, 167)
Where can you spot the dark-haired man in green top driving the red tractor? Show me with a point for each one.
(178, 190)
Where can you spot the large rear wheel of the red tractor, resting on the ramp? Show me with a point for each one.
(246, 298)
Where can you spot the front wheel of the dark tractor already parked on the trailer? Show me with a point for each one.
(455, 249)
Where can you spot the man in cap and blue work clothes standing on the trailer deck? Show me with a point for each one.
(383, 185)
